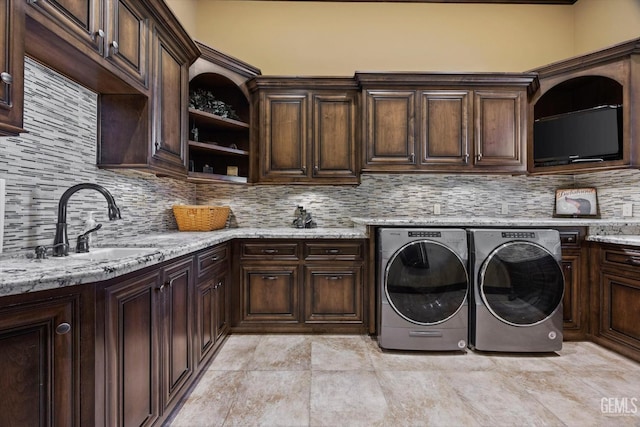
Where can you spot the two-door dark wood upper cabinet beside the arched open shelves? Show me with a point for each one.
(307, 130)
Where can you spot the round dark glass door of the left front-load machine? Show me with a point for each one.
(426, 283)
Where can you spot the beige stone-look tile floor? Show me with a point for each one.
(335, 380)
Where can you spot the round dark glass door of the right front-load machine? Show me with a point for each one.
(521, 283)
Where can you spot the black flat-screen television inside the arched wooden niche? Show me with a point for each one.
(591, 135)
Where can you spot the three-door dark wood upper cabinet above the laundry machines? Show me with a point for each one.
(432, 122)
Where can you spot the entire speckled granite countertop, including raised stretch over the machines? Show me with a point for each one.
(21, 273)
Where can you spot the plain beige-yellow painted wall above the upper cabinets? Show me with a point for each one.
(332, 38)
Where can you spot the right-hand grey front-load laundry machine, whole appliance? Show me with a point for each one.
(517, 290)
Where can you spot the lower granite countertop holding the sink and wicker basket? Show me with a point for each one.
(21, 274)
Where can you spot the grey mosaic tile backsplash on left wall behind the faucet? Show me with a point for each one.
(59, 151)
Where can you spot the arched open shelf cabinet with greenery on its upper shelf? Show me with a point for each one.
(219, 132)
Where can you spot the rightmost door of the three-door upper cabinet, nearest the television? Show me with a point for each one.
(499, 129)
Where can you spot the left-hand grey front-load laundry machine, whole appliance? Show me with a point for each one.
(423, 287)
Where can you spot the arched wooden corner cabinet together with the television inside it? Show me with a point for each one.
(585, 115)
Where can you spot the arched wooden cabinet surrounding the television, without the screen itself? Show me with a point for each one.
(603, 78)
